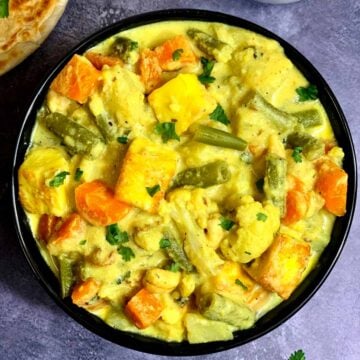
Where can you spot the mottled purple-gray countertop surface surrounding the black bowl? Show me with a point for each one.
(327, 32)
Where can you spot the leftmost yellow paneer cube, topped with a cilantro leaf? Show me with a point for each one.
(37, 193)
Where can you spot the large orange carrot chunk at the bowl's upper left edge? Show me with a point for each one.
(77, 80)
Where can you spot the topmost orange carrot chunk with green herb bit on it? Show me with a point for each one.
(175, 53)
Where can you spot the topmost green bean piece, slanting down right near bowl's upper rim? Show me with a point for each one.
(210, 46)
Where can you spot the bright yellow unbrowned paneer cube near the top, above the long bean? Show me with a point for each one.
(183, 100)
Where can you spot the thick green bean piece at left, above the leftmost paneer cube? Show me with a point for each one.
(76, 138)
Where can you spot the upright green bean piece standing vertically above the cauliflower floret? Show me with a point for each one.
(274, 181)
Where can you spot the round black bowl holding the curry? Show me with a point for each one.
(272, 319)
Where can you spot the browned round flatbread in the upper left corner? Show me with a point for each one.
(27, 26)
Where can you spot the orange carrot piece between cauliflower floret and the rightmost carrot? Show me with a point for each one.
(296, 202)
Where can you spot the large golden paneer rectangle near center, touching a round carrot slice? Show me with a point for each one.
(145, 174)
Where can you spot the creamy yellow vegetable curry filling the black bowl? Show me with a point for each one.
(197, 188)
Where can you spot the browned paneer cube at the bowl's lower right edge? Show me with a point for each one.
(280, 268)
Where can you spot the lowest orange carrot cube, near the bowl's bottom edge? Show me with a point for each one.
(144, 308)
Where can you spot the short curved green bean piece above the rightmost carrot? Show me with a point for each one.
(312, 148)
